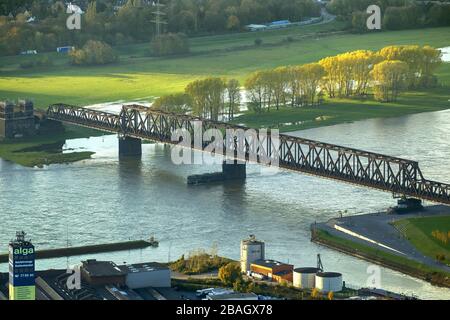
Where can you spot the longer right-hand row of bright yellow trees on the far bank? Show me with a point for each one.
(387, 71)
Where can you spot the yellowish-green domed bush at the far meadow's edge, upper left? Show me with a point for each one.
(94, 53)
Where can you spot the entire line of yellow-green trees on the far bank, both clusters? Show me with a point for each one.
(385, 73)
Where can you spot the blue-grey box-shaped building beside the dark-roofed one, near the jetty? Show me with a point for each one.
(146, 275)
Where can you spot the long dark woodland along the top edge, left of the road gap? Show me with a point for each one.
(123, 22)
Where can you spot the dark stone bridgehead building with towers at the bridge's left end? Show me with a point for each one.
(17, 120)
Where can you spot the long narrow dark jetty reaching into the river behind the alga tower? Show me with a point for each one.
(76, 251)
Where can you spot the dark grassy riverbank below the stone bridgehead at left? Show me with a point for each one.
(45, 149)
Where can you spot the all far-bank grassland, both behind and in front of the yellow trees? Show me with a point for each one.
(140, 77)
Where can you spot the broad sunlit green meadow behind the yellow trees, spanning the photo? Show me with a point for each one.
(138, 76)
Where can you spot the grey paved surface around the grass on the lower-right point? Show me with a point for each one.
(378, 227)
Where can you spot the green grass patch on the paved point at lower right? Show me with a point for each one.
(418, 232)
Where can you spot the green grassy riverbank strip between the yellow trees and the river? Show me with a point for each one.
(337, 111)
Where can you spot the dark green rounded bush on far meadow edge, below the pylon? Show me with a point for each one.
(170, 44)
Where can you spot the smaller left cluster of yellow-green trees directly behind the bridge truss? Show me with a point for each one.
(210, 98)
